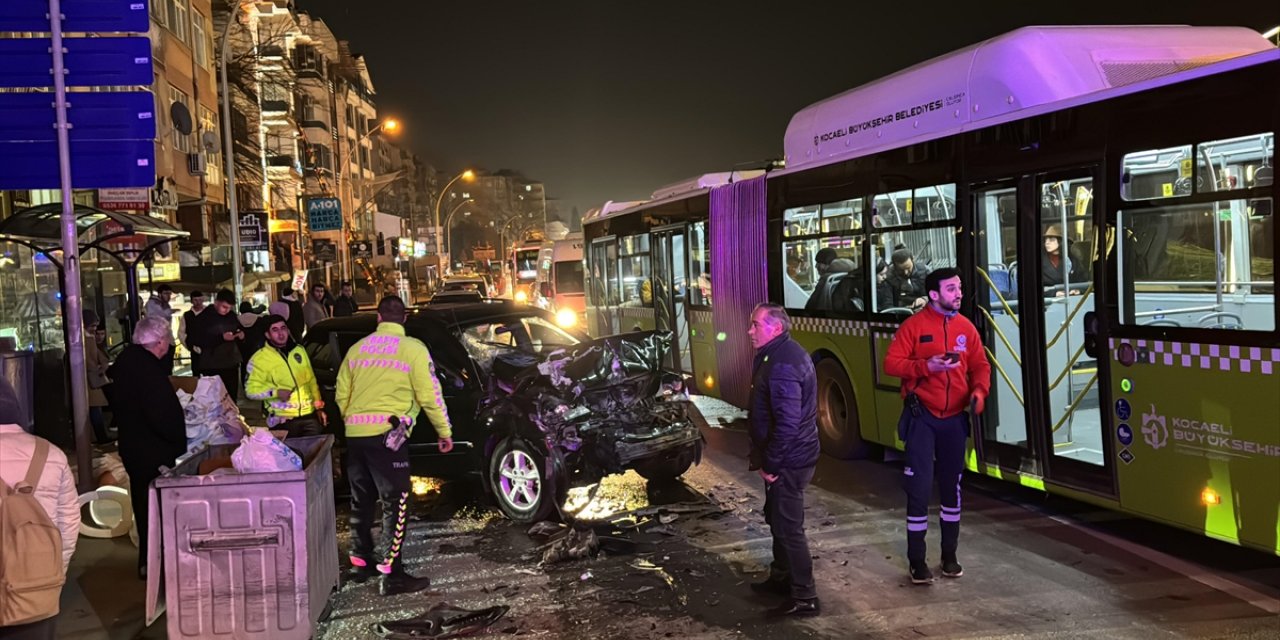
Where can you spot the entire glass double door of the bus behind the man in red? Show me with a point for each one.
(1035, 259)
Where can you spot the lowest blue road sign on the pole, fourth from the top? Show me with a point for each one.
(95, 164)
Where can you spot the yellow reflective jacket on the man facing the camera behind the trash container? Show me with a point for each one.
(272, 371)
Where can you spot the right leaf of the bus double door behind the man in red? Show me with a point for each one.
(1060, 282)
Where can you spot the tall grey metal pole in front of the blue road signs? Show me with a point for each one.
(71, 264)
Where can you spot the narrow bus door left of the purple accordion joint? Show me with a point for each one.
(670, 294)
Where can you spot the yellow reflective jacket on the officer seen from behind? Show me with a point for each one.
(390, 374)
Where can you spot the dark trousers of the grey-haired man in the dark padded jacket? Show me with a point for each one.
(784, 511)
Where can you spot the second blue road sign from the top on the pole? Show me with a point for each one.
(89, 62)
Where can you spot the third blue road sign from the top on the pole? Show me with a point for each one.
(31, 117)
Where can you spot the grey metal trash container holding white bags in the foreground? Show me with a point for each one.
(246, 556)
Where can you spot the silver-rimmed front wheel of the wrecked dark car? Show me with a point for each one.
(519, 482)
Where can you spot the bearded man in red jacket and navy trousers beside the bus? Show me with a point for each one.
(945, 372)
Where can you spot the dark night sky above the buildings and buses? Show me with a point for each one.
(609, 100)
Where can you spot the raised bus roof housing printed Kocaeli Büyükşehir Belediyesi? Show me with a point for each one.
(1011, 76)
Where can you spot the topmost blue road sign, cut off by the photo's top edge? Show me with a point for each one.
(79, 16)
